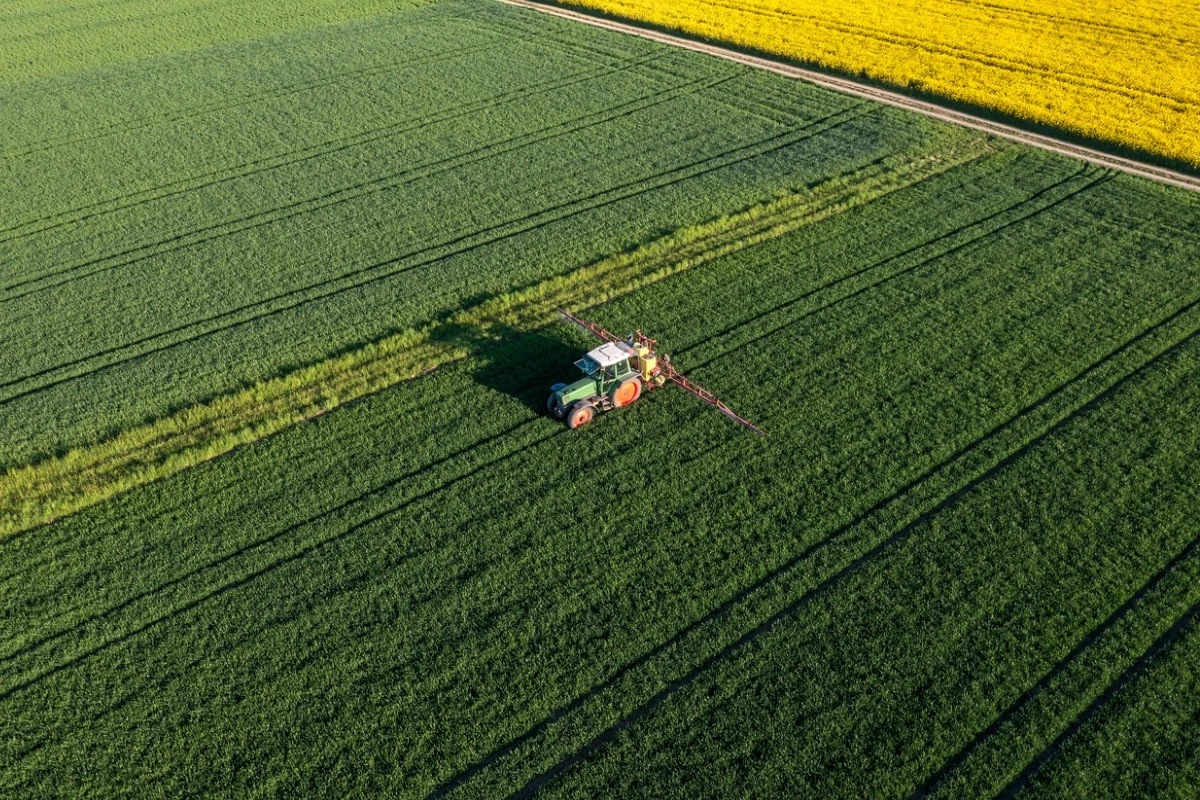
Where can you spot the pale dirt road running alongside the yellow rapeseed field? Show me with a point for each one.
(945, 113)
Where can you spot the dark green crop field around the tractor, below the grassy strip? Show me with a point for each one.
(976, 484)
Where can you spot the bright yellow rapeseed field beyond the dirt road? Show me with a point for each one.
(1123, 71)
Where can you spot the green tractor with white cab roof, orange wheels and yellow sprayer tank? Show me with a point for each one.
(616, 375)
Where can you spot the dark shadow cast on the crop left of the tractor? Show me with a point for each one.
(526, 368)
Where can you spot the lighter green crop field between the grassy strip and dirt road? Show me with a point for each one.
(199, 270)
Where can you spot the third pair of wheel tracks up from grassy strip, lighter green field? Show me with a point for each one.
(292, 158)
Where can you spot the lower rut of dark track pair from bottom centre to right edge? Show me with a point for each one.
(542, 780)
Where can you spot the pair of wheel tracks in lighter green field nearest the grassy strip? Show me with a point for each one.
(428, 255)
